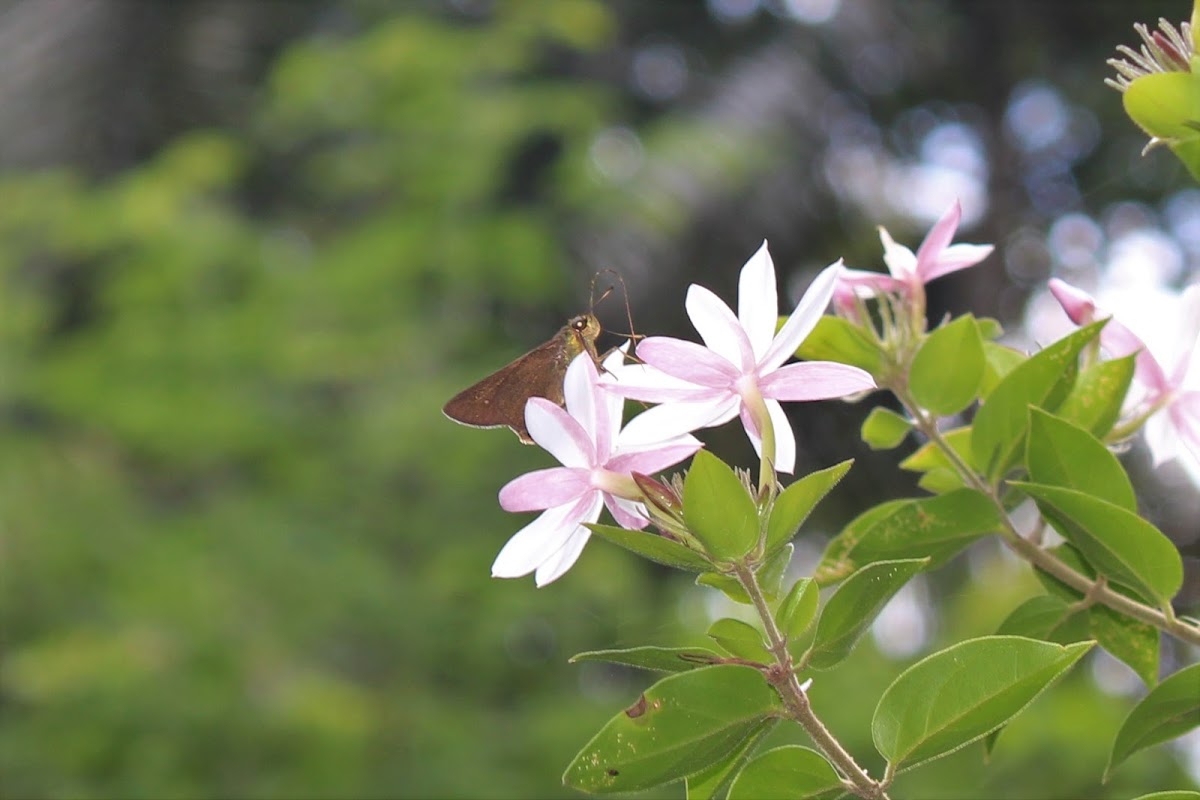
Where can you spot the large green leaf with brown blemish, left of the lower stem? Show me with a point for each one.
(677, 729)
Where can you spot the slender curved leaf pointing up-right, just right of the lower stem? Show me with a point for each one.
(853, 609)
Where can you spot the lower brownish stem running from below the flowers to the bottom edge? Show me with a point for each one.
(785, 682)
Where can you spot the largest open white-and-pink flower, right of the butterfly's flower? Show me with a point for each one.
(741, 371)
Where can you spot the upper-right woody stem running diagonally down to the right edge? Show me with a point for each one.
(1097, 590)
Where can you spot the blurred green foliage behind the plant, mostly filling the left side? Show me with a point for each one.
(242, 555)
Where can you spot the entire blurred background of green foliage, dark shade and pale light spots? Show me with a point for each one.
(249, 249)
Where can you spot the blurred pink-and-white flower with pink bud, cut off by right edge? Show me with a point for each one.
(1171, 384)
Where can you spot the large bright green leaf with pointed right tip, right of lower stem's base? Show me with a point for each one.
(962, 694)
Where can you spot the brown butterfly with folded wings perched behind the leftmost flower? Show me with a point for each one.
(501, 399)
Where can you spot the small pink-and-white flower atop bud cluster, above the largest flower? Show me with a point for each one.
(908, 272)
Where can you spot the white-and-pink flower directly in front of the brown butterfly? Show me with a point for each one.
(597, 459)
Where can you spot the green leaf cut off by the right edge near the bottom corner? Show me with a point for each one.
(1169, 711)
